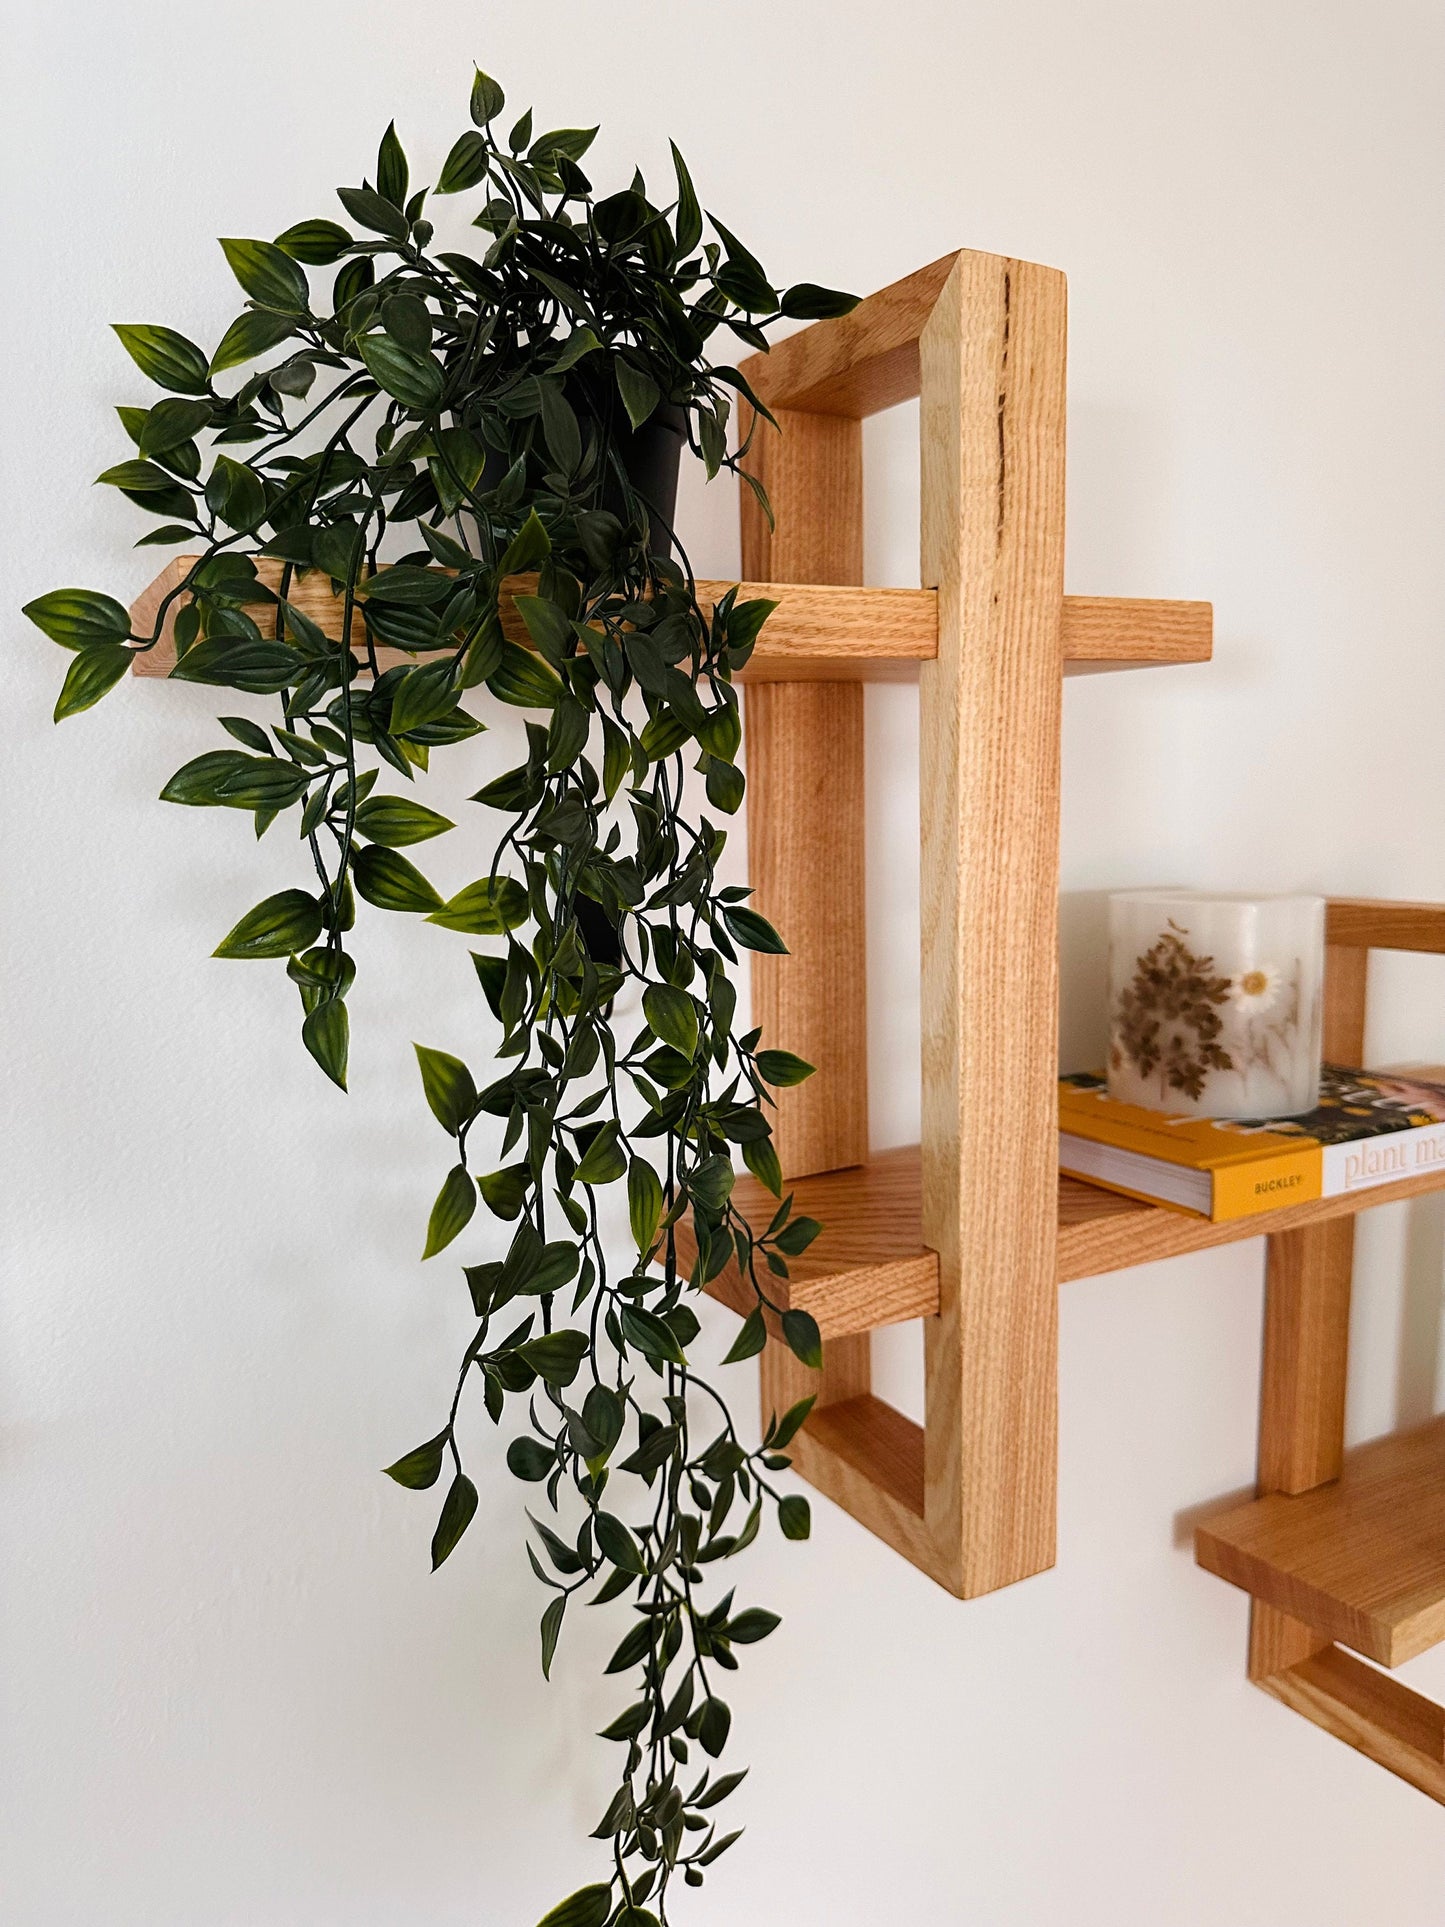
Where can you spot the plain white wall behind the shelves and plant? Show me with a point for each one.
(232, 1693)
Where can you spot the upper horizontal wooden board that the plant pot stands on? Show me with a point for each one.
(820, 633)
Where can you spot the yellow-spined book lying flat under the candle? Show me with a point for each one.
(1369, 1130)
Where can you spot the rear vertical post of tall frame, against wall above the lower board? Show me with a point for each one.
(804, 752)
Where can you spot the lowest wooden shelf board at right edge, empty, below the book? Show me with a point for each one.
(1361, 1560)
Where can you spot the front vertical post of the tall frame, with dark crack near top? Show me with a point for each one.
(993, 371)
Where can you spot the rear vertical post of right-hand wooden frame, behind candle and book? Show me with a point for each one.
(1307, 1325)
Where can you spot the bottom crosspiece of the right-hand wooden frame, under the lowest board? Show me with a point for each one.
(1380, 1718)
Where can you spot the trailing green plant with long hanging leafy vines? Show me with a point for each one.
(444, 427)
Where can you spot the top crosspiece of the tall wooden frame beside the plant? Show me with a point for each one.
(862, 363)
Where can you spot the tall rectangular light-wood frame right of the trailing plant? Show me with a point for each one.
(970, 1496)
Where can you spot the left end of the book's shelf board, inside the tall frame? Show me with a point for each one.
(868, 1267)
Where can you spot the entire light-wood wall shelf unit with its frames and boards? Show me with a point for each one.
(974, 1230)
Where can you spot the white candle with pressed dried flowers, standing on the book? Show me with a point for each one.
(1217, 1003)
